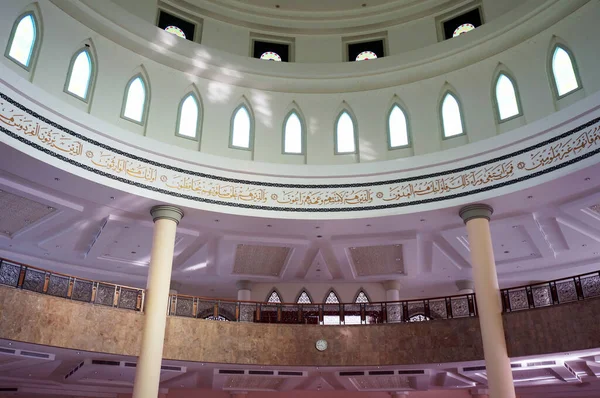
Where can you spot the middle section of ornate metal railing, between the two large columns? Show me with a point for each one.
(324, 314)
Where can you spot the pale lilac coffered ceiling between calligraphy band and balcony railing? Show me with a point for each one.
(72, 225)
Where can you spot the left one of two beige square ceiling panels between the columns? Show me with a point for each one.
(260, 260)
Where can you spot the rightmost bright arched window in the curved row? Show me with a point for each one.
(564, 73)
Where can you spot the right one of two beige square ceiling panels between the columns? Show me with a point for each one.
(377, 260)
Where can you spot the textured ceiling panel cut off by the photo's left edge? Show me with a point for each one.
(19, 212)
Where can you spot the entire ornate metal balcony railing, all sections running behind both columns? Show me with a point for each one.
(537, 295)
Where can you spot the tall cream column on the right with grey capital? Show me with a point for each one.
(487, 293)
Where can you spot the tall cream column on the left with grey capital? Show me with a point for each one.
(147, 372)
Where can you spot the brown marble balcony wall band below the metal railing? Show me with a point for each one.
(35, 318)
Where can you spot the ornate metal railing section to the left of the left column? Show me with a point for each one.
(59, 285)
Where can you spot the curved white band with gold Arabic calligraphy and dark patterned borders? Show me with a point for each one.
(22, 124)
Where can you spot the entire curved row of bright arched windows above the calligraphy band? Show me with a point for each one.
(25, 39)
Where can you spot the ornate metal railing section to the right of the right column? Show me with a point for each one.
(554, 292)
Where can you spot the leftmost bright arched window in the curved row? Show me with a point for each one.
(23, 40)
